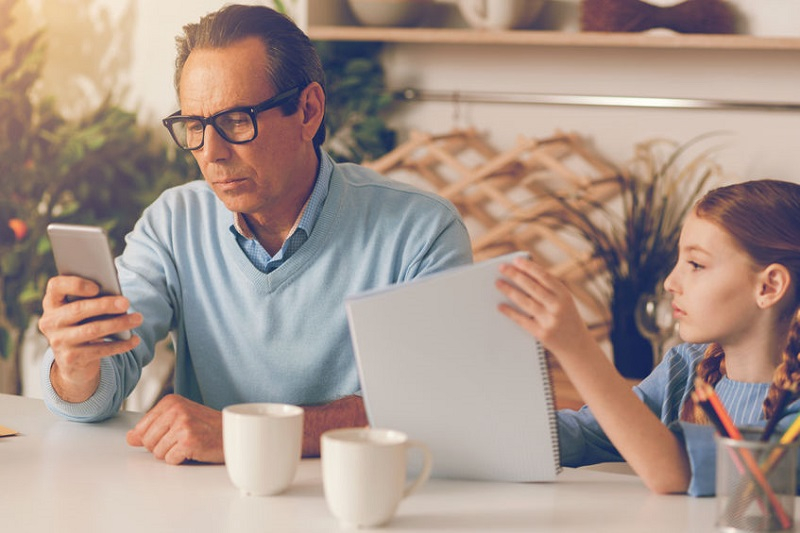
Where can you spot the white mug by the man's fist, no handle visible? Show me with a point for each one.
(262, 443)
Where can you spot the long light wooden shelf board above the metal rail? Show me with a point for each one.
(552, 38)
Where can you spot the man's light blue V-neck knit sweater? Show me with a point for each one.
(245, 336)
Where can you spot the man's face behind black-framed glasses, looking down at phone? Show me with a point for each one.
(261, 176)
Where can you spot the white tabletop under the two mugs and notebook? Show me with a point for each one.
(69, 477)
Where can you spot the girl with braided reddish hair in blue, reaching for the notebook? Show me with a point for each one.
(736, 296)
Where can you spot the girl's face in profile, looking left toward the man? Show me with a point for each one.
(714, 285)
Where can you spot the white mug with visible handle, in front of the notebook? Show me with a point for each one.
(364, 473)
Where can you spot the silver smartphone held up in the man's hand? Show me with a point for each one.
(84, 251)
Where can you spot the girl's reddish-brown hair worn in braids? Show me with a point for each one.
(763, 217)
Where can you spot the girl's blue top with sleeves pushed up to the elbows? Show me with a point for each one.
(583, 442)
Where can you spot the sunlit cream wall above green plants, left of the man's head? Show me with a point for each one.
(123, 47)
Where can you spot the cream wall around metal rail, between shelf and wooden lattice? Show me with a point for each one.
(759, 143)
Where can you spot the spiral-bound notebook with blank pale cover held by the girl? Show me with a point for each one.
(439, 362)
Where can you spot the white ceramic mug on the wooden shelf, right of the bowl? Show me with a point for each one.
(499, 14)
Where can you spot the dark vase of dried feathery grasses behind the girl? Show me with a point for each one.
(636, 237)
